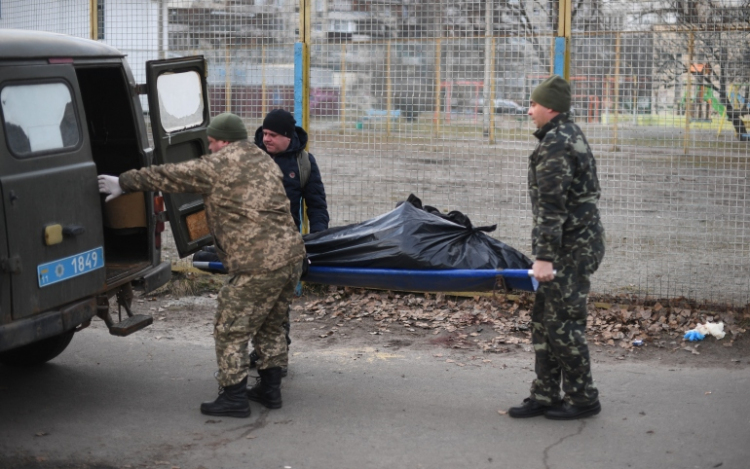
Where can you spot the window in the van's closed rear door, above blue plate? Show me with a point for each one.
(39, 118)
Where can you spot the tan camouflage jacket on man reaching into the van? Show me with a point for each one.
(246, 206)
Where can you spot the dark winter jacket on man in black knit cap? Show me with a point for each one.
(314, 193)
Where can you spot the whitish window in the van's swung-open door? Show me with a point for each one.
(180, 100)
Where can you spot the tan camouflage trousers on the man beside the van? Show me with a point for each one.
(253, 307)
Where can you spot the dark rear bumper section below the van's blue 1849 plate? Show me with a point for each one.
(49, 324)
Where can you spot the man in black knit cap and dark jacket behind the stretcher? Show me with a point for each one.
(280, 137)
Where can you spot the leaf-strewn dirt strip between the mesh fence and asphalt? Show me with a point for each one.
(462, 330)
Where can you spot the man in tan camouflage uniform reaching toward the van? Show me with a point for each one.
(247, 211)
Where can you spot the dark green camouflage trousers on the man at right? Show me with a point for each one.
(558, 322)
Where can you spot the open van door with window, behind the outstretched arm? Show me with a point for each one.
(178, 106)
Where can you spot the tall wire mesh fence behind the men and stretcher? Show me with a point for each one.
(429, 97)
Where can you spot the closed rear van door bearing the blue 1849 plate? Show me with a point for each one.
(50, 195)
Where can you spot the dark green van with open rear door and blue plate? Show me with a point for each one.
(70, 110)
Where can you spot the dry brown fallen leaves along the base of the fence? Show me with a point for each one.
(612, 321)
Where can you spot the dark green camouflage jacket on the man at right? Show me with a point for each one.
(564, 190)
